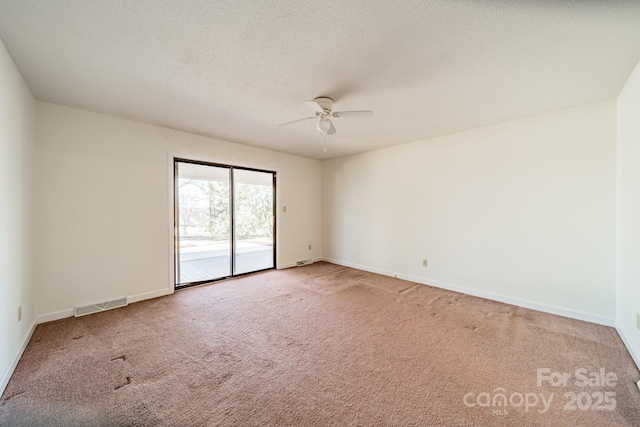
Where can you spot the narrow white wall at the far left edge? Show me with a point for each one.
(17, 141)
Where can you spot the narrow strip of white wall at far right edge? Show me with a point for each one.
(628, 251)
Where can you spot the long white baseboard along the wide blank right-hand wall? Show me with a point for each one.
(573, 314)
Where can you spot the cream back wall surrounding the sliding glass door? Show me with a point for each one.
(104, 215)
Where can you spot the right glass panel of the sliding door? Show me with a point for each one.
(253, 220)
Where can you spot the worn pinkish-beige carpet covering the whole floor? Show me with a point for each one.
(321, 345)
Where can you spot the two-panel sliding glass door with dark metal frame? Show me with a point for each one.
(225, 221)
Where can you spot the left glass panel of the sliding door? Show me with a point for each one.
(203, 223)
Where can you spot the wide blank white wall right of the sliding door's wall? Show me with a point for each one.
(522, 211)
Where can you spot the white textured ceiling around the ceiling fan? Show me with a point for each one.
(235, 69)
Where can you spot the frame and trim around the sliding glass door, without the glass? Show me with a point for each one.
(173, 158)
